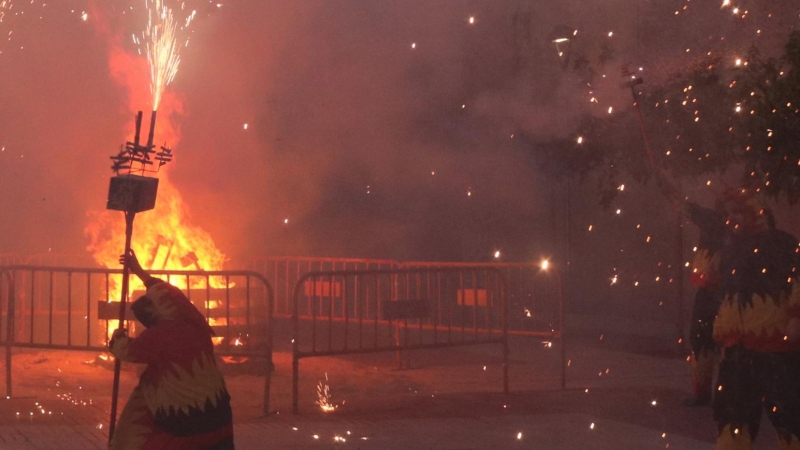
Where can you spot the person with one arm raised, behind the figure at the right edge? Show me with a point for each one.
(705, 276)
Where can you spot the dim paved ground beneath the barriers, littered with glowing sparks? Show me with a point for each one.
(616, 399)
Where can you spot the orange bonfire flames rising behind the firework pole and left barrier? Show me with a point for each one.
(163, 238)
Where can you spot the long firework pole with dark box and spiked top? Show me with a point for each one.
(132, 192)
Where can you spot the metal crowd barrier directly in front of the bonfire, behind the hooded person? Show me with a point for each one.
(64, 308)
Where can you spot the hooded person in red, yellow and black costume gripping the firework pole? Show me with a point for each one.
(181, 401)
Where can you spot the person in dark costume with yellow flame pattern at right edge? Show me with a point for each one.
(756, 326)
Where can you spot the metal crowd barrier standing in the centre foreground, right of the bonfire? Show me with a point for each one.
(351, 312)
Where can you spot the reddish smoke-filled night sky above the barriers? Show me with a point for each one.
(378, 129)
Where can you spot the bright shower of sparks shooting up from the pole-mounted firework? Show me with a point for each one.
(162, 48)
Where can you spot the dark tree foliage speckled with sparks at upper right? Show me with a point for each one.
(704, 120)
